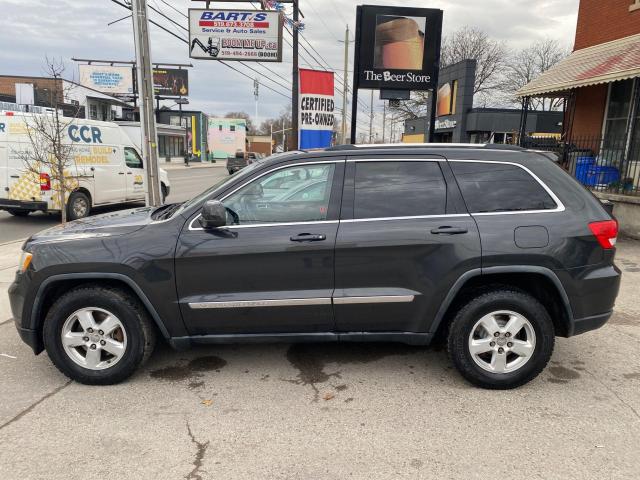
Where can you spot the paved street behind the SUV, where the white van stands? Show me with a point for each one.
(185, 183)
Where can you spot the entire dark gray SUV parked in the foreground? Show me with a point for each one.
(496, 250)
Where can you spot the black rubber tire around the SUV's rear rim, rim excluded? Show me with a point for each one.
(492, 301)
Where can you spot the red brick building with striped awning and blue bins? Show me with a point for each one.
(600, 84)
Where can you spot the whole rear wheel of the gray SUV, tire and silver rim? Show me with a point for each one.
(501, 339)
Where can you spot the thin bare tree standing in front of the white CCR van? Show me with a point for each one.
(47, 154)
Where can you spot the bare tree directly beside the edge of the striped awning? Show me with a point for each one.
(528, 64)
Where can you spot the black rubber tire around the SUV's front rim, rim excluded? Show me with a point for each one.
(140, 332)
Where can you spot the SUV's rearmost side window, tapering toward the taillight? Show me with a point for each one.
(499, 187)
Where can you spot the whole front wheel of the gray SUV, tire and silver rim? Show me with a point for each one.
(98, 335)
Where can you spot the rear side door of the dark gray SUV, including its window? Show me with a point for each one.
(405, 237)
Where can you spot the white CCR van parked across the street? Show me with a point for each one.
(107, 169)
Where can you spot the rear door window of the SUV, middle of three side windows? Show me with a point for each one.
(399, 189)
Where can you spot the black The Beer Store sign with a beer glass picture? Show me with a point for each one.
(397, 48)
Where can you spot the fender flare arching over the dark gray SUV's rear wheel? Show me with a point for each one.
(459, 284)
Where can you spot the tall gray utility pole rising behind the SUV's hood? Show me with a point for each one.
(145, 90)
